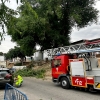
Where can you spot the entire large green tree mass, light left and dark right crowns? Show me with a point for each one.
(49, 23)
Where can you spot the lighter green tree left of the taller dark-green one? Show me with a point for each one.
(24, 29)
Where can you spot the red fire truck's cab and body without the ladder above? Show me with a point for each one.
(79, 70)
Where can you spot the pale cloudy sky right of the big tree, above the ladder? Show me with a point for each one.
(90, 32)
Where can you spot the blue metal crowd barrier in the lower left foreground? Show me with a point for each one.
(12, 93)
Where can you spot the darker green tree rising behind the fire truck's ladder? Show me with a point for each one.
(62, 16)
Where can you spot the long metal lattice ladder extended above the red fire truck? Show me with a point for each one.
(78, 48)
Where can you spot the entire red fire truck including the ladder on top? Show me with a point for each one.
(76, 65)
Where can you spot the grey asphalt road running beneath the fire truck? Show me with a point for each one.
(38, 89)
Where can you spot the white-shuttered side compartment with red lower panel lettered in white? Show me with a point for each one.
(77, 73)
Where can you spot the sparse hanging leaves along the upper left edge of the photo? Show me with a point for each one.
(5, 15)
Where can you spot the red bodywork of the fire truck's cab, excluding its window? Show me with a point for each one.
(62, 68)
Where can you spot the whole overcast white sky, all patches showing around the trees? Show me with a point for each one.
(90, 32)
